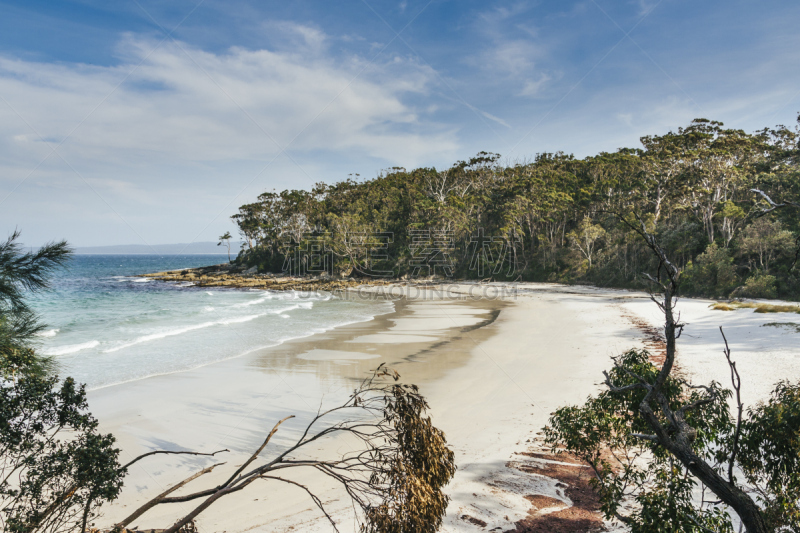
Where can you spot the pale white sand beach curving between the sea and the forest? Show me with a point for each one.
(492, 369)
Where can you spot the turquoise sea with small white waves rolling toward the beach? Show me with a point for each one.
(105, 326)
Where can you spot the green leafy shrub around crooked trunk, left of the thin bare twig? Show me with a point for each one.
(638, 481)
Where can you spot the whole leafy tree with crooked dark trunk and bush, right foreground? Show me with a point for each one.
(653, 438)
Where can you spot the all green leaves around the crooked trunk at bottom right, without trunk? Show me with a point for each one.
(641, 483)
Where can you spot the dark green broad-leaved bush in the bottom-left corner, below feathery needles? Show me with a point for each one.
(57, 469)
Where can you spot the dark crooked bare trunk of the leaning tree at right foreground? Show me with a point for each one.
(676, 435)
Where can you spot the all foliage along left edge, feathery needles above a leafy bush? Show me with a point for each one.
(55, 468)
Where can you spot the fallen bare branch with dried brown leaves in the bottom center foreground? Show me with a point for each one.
(394, 477)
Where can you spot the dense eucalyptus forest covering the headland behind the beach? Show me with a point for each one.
(555, 218)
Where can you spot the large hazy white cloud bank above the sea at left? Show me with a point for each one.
(167, 144)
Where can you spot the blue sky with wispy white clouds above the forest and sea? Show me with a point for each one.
(151, 122)
